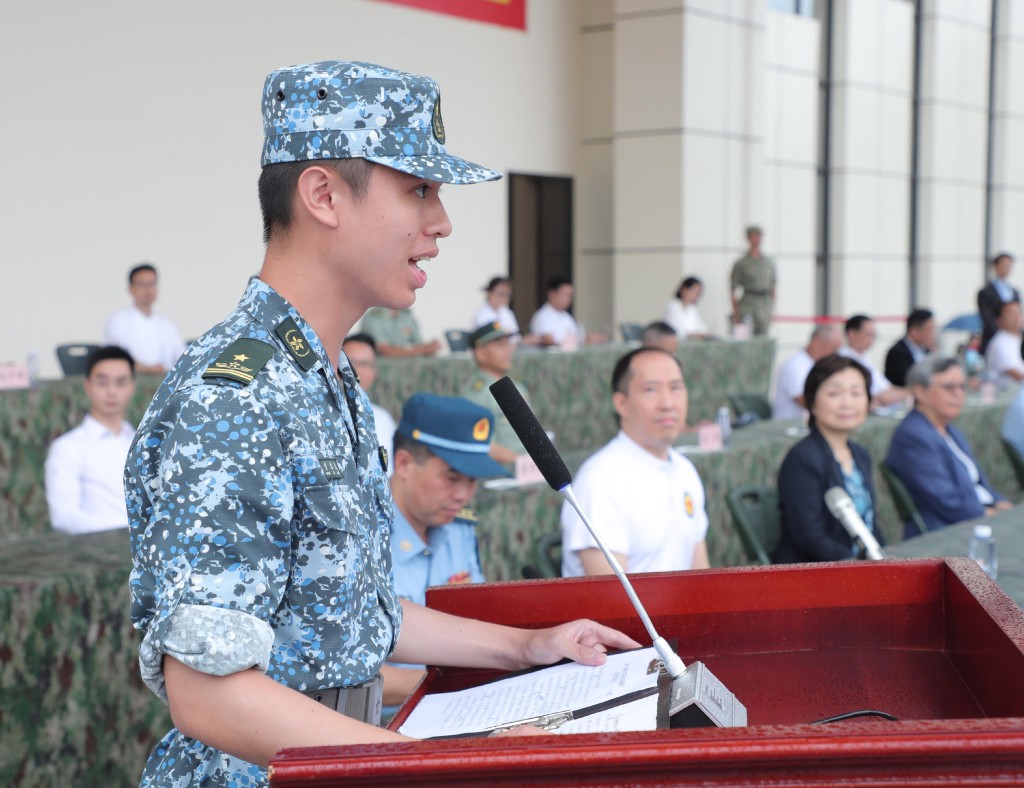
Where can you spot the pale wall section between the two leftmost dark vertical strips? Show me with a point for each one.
(873, 89)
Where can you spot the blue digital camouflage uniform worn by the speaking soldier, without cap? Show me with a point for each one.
(261, 519)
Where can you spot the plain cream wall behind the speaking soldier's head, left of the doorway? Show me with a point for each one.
(133, 133)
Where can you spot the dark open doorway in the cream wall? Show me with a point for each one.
(540, 239)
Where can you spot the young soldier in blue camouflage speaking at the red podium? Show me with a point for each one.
(261, 514)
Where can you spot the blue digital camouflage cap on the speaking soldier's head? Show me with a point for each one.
(343, 110)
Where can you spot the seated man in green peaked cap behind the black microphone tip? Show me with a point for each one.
(494, 354)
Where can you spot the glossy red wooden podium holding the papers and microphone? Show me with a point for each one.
(933, 642)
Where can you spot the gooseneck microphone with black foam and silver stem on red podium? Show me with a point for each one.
(692, 687)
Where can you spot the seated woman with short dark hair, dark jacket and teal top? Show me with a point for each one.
(836, 393)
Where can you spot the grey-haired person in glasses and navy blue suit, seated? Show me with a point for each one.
(932, 458)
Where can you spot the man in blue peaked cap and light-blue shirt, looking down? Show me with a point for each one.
(434, 542)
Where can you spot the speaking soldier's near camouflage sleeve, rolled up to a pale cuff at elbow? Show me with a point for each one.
(210, 500)
